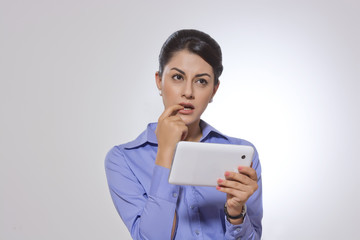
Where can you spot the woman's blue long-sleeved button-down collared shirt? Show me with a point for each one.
(147, 202)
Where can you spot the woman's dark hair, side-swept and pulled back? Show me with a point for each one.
(196, 42)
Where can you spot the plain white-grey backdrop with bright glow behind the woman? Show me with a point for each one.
(77, 77)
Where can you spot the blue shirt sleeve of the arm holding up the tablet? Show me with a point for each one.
(251, 228)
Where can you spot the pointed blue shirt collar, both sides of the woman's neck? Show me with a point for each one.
(149, 136)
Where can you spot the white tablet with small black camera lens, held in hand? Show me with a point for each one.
(201, 164)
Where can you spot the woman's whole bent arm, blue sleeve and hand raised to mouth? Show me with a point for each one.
(152, 215)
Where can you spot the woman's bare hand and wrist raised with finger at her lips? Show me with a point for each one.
(170, 130)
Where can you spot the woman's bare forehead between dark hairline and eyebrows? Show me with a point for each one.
(188, 62)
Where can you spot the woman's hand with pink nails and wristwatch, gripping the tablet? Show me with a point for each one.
(238, 188)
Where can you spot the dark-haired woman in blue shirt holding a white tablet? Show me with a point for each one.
(190, 64)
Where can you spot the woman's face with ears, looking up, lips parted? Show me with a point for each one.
(187, 80)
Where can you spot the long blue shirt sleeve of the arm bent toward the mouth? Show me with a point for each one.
(147, 214)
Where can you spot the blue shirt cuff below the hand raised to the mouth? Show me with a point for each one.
(160, 186)
